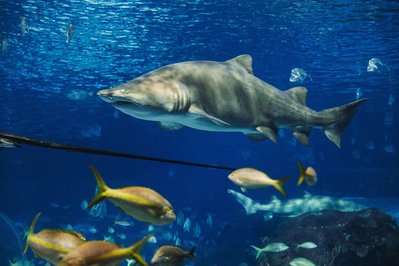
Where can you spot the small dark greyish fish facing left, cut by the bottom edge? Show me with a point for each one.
(170, 255)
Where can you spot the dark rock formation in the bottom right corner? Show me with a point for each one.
(369, 238)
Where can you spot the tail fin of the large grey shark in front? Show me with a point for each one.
(338, 119)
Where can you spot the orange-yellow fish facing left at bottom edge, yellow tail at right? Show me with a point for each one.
(103, 253)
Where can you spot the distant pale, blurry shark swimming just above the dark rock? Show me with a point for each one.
(298, 206)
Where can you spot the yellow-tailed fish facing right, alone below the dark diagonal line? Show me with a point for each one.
(142, 203)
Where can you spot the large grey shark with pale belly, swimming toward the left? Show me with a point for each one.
(225, 97)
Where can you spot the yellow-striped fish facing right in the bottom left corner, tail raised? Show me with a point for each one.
(52, 244)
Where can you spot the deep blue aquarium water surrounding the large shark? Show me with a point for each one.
(117, 41)
